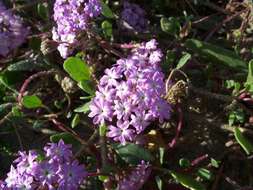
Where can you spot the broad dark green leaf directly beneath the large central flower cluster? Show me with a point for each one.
(132, 153)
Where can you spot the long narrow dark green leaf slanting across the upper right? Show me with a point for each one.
(216, 54)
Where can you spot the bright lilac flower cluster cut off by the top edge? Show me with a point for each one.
(72, 17)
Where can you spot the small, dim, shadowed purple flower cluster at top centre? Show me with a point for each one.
(134, 15)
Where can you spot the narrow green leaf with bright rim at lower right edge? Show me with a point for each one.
(243, 141)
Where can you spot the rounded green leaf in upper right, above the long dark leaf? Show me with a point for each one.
(170, 25)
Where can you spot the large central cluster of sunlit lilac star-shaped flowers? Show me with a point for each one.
(129, 95)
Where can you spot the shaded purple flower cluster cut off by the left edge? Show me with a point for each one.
(12, 31)
